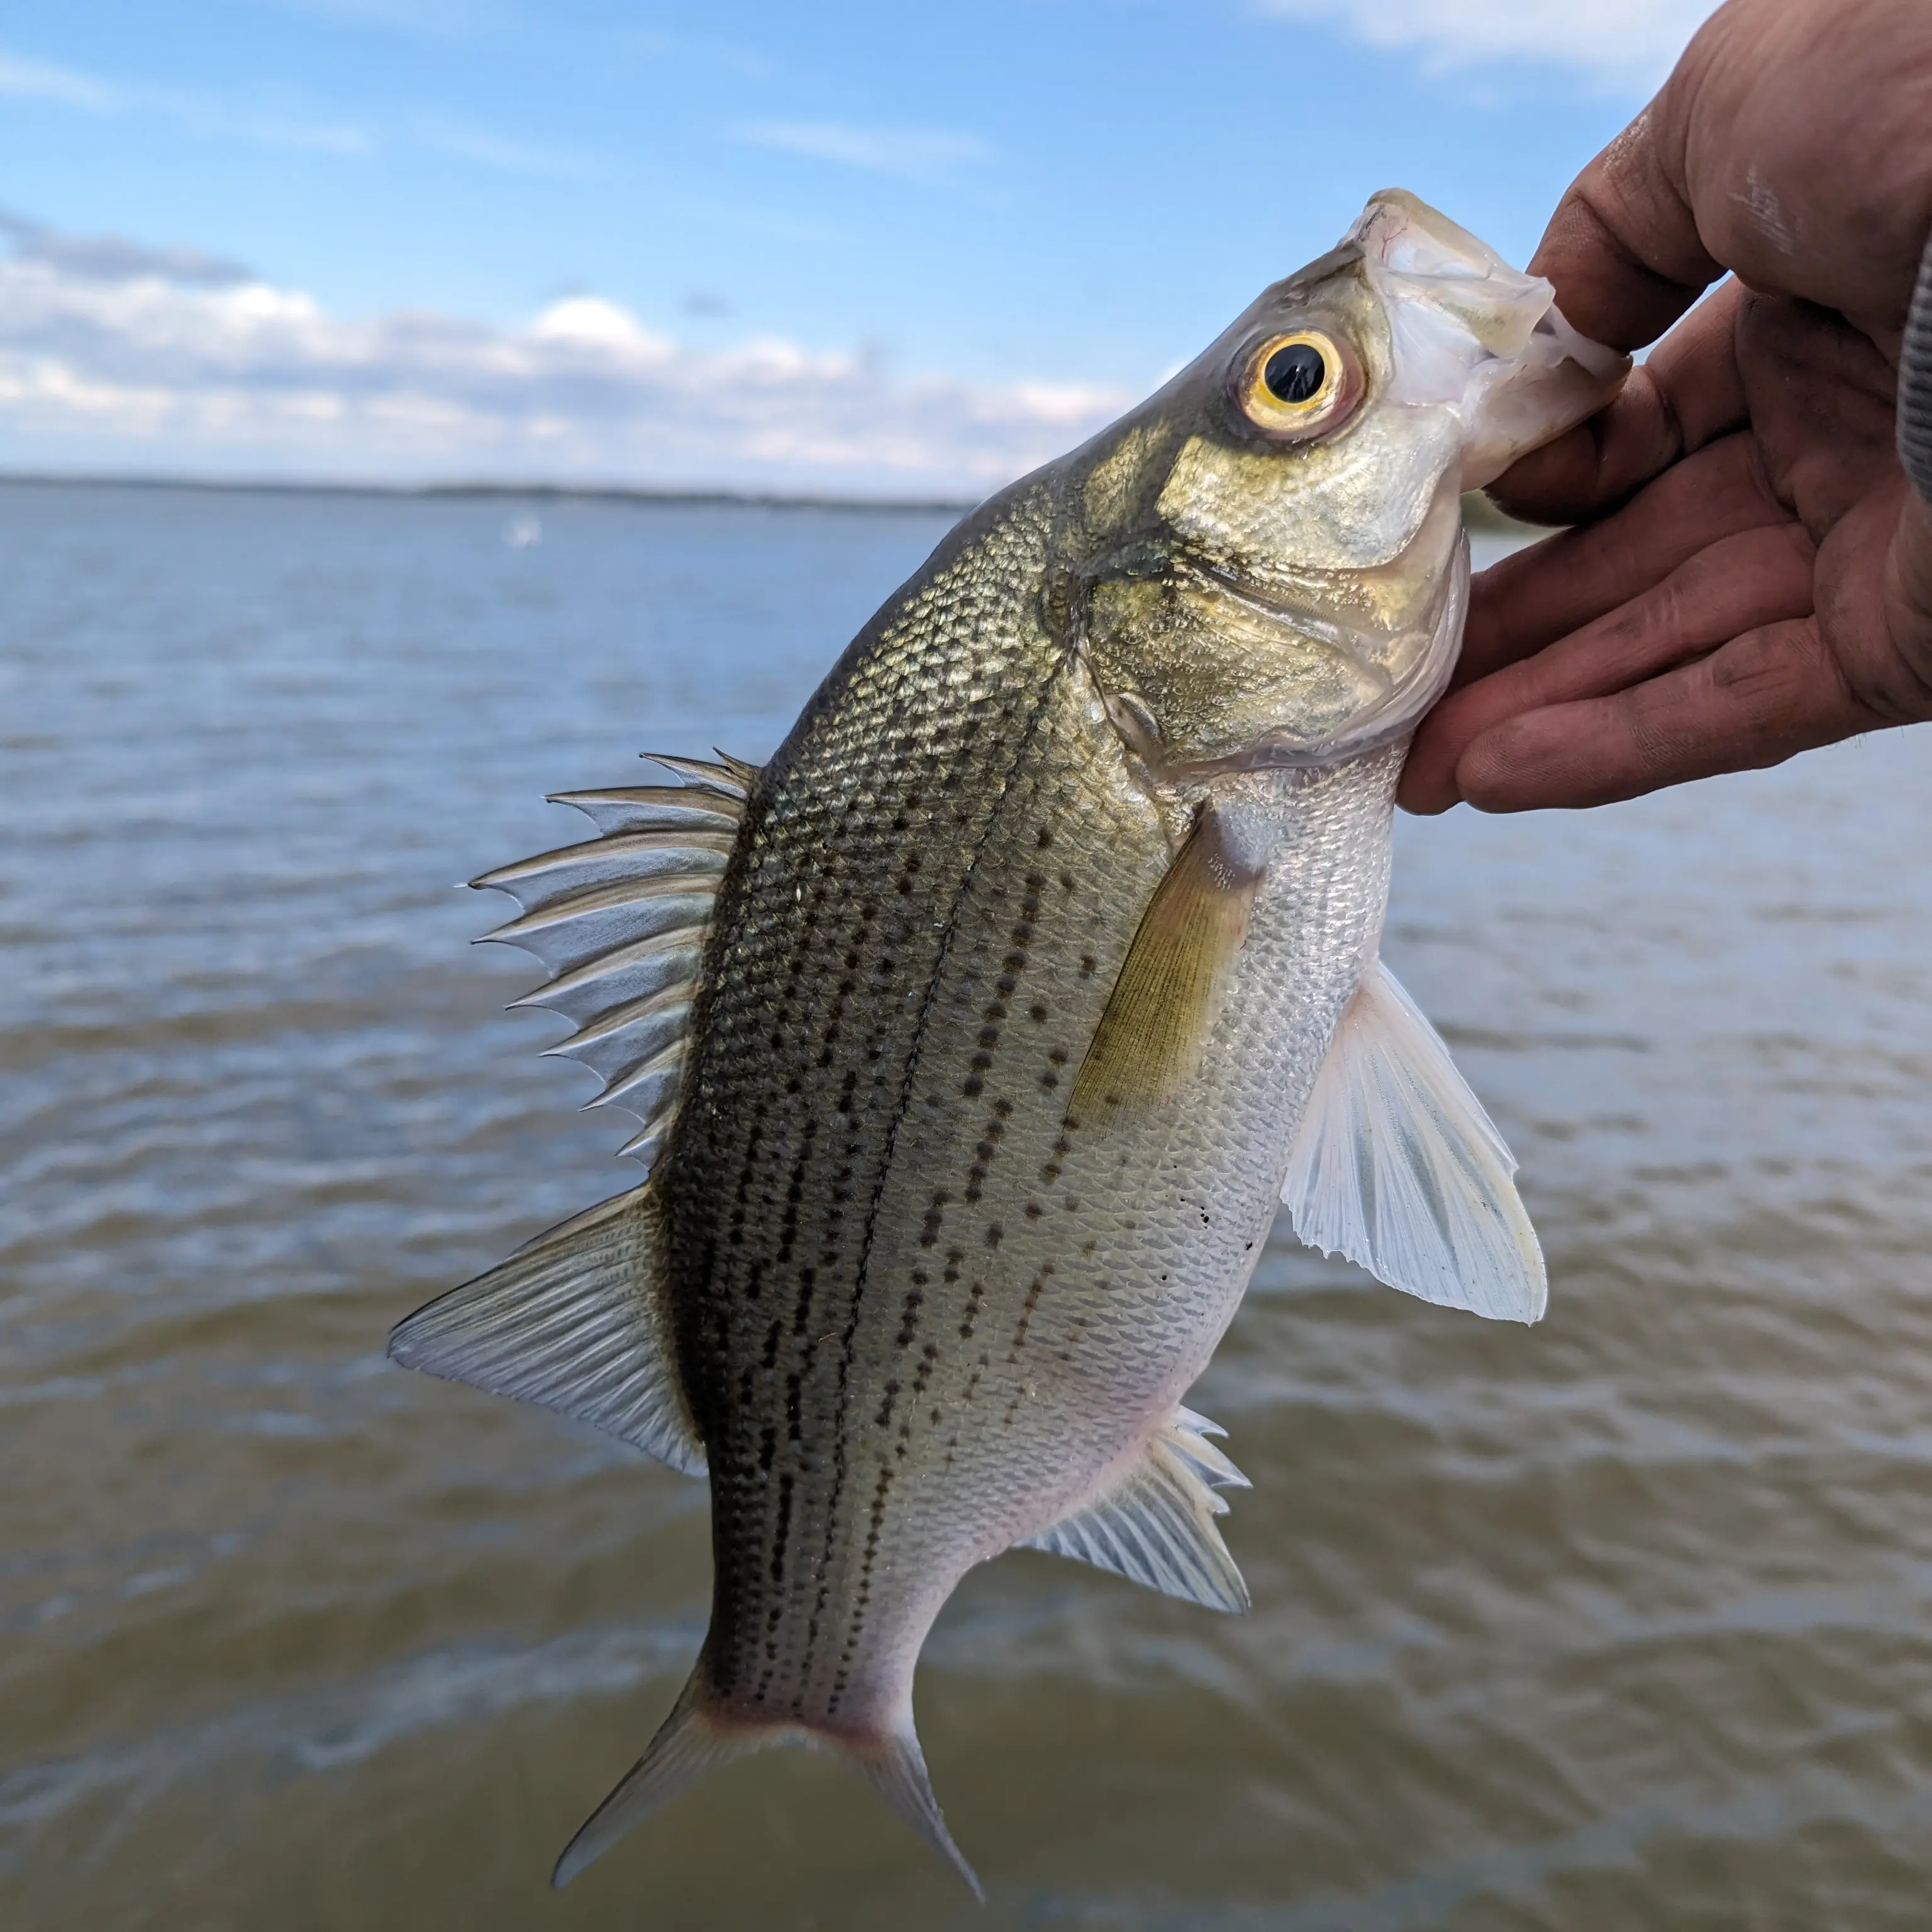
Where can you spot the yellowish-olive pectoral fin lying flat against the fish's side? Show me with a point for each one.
(1176, 975)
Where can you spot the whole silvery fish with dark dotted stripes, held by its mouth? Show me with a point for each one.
(980, 1035)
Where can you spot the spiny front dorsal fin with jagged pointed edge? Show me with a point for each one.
(621, 921)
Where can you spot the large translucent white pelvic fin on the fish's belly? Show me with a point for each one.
(1400, 1170)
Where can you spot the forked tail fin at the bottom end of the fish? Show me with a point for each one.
(698, 1736)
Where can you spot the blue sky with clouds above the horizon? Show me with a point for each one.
(853, 248)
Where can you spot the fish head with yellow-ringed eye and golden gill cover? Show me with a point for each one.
(1272, 561)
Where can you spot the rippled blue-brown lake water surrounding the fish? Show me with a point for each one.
(1616, 1624)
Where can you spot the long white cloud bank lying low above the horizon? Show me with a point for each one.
(127, 360)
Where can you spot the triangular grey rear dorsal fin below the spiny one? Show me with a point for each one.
(575, 1321)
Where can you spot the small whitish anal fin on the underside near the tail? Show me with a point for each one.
(1158, 1527)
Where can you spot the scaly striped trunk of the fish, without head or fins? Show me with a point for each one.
(924, 1313)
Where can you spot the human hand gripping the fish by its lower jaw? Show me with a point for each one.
(1751, 575)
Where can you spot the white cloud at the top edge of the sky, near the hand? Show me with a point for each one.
(1620, 42)
